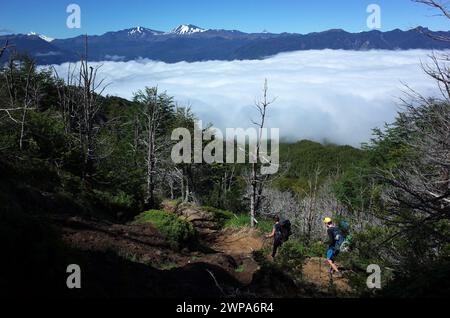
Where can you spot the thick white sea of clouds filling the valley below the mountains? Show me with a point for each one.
(338, 96)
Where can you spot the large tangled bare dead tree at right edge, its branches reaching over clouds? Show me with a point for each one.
(422, 185)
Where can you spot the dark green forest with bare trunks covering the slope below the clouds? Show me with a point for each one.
(68, 152)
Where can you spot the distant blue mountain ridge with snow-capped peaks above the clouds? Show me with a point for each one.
(191, 43)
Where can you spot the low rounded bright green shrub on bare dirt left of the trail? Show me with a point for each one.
(177, 231)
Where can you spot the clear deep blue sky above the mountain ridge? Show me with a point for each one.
(97, 17)
